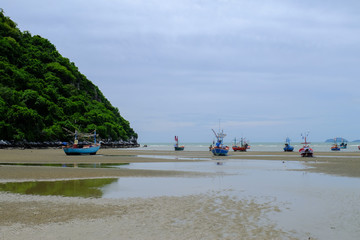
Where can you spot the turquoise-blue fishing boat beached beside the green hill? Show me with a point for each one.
(82, 149)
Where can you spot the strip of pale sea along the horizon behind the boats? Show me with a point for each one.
(256, 146)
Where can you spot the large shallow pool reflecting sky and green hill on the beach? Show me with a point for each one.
(324, 205)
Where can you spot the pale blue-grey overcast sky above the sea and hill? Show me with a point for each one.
(260, 69)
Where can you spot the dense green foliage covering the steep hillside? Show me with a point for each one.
(42, 92)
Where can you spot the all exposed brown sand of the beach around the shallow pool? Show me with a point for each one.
(198, 216)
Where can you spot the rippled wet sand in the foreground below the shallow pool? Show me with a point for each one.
(209, 216)
